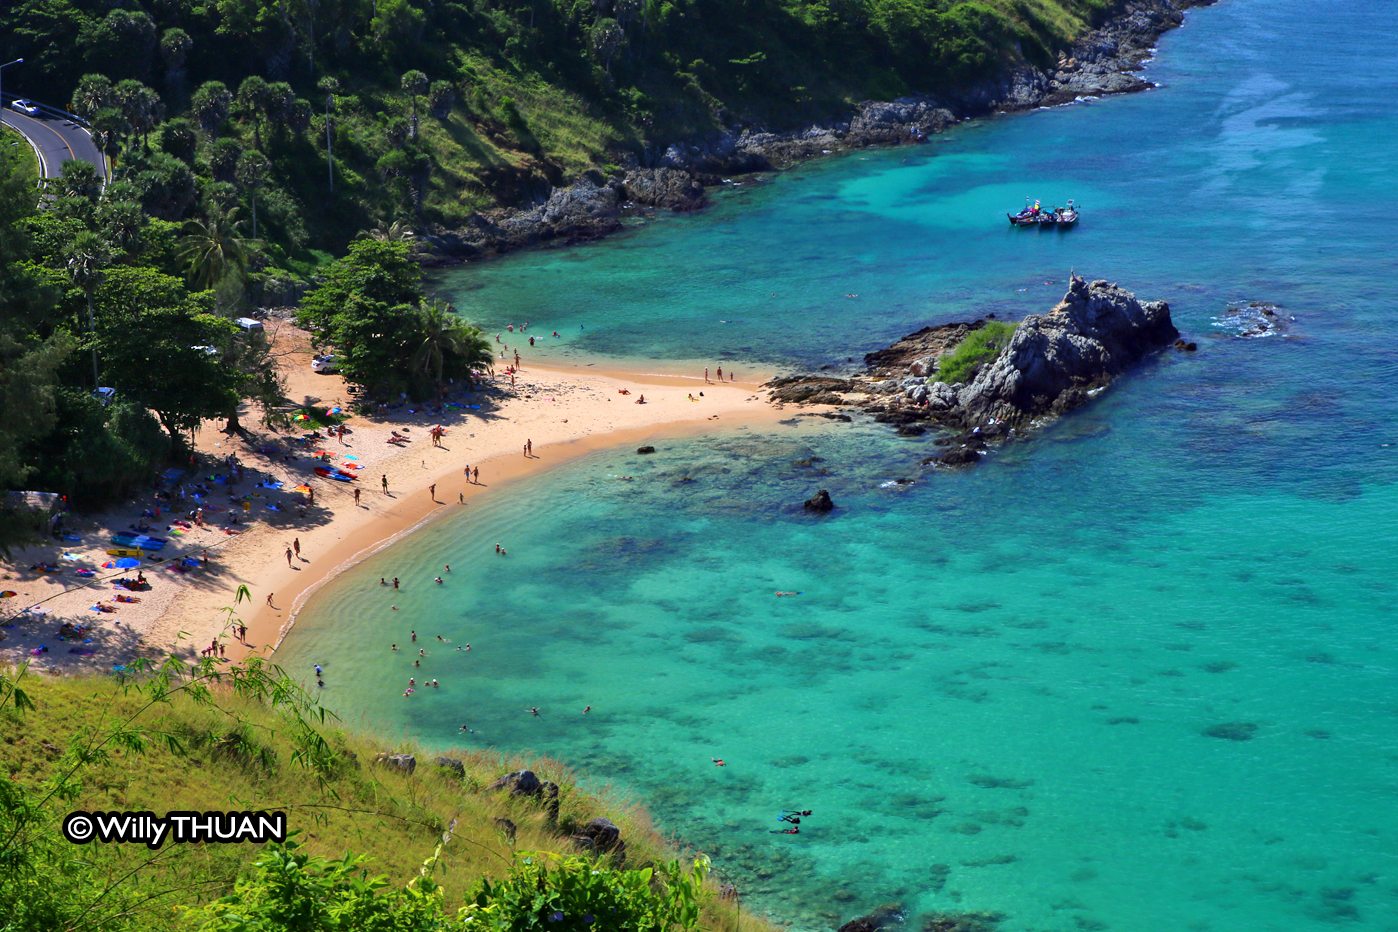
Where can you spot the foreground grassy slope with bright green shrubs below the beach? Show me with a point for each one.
(373, 847)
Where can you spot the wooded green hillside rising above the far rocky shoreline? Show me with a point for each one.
(324, 118)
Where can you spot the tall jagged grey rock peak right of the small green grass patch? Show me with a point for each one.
(1091, 337)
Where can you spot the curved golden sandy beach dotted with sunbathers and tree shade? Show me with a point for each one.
(565, 412)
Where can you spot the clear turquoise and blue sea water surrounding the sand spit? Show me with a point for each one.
(1134, 674)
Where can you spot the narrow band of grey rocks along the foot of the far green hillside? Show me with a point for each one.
(1107, 61)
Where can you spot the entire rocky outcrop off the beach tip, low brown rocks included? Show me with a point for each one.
(1049, 365)
